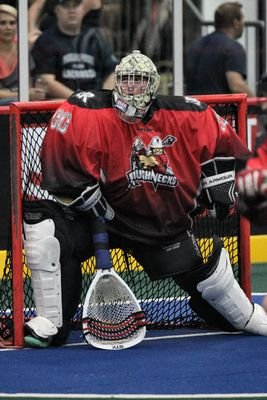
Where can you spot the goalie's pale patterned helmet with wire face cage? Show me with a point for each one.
(136, 85)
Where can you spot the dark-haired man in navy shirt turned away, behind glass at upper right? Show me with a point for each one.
(216, 63)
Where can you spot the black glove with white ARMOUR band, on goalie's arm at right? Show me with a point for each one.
(218, 185)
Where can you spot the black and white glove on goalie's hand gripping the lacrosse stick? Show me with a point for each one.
(91, 201)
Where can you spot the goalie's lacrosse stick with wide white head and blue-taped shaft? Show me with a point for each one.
(112, 316)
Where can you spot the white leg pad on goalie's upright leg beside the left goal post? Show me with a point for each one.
(42, 251)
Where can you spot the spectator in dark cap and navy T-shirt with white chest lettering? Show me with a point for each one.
(69, 58)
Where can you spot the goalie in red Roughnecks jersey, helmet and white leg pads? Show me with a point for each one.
(134, 158)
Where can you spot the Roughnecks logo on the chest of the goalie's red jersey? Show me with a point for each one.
(150, 163)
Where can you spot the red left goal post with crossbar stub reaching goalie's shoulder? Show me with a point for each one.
(16, 133)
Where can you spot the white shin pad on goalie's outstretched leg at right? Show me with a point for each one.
(222, 292)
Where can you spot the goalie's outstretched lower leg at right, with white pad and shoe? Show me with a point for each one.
(222, 299)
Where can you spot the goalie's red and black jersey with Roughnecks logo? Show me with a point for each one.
(149, 172)
